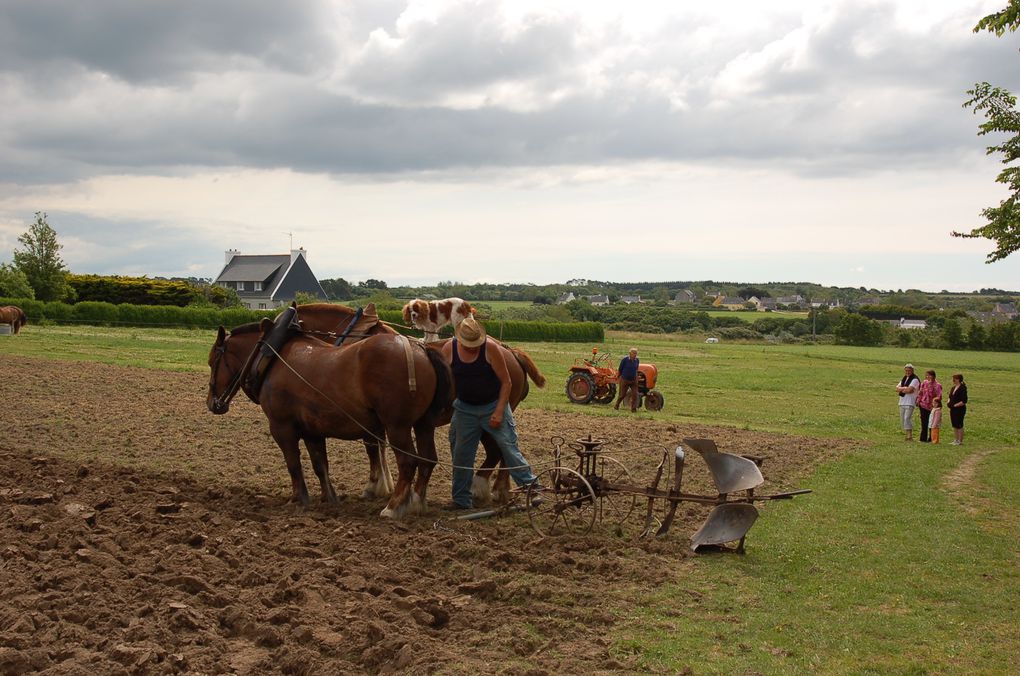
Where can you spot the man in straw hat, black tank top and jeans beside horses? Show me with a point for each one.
(483, 385)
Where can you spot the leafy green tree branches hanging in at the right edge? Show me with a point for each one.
(1001, 116)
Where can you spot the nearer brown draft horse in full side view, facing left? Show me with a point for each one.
(362, 392)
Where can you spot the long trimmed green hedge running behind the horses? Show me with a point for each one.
(126, 315)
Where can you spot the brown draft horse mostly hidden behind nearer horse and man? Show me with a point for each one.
(329, 321)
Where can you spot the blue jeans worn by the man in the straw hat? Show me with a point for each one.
(466, 433)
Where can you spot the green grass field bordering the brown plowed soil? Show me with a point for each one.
(884, 569)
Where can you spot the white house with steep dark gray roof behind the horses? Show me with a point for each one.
(268, 282)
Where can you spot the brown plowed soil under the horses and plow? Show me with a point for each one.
(139, 534)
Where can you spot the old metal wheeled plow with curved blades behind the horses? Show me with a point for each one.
(573, 498)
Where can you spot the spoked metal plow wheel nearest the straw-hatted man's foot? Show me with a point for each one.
(565, 504)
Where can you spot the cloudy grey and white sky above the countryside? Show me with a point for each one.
(420, 141)
